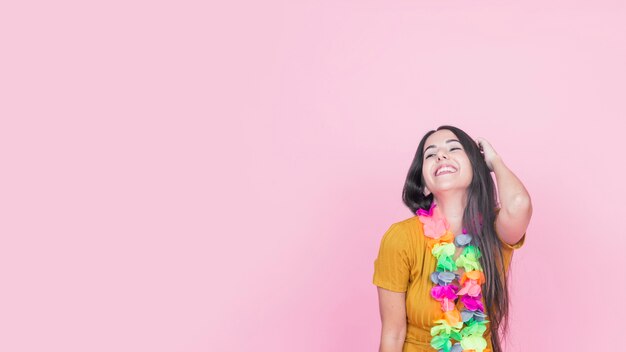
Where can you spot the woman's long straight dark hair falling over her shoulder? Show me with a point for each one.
(480, 207)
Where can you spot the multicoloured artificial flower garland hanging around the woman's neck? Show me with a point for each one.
(469, 325)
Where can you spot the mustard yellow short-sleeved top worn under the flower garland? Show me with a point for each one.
(404, 264)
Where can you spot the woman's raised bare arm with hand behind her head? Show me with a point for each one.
(515, 204)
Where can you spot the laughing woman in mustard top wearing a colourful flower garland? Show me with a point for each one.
(442, 274)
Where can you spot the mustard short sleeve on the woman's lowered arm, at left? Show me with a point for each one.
(392, 266)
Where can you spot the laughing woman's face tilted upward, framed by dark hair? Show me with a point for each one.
(446, 166)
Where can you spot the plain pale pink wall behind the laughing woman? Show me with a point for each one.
(178, 176)
